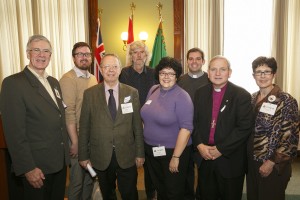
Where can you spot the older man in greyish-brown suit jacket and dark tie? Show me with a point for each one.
(111, 132)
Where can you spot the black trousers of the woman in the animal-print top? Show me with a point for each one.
(270, 187)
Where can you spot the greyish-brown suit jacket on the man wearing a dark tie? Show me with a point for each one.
(98, 131)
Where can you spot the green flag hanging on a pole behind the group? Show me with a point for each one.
(159, 48)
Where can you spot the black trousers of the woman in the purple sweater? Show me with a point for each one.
(170, 186)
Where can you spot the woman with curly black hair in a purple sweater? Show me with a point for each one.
(168, 123)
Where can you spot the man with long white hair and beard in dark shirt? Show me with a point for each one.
(138, 75)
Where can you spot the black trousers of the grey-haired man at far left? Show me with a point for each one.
(53, 188)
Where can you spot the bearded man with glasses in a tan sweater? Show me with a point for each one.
(73, 84)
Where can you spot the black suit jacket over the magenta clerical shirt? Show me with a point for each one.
(233, 127)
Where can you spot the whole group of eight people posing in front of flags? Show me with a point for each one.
(156, 118)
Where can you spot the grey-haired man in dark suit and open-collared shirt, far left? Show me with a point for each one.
(34, 125)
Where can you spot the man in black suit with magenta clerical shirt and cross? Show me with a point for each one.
(222, 124)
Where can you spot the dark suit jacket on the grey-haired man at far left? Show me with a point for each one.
(34, 127)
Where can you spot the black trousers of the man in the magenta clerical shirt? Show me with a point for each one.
(213, 186)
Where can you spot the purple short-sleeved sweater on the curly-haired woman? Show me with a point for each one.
(164, 114)
